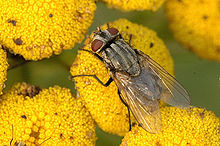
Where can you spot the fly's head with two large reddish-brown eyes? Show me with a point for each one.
(102, 38)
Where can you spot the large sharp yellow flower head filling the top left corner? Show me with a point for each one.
(37, 29)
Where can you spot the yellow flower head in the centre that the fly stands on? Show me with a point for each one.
(104, 103)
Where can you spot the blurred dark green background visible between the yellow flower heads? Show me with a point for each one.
(200, 77)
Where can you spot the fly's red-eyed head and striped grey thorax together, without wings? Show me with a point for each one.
(116, 53)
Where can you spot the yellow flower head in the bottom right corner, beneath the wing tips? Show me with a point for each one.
(194, 126)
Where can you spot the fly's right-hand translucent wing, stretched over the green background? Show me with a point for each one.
(173, 92)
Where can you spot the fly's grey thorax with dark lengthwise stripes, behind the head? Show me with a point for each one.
(119, 56)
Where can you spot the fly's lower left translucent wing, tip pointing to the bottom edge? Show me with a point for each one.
(145, 110)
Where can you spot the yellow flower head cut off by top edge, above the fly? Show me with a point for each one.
(129, 5)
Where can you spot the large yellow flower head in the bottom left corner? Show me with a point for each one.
(50, 114)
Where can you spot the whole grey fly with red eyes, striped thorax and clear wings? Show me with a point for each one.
(141, 81)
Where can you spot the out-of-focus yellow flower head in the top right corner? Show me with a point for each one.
(196, 25)
